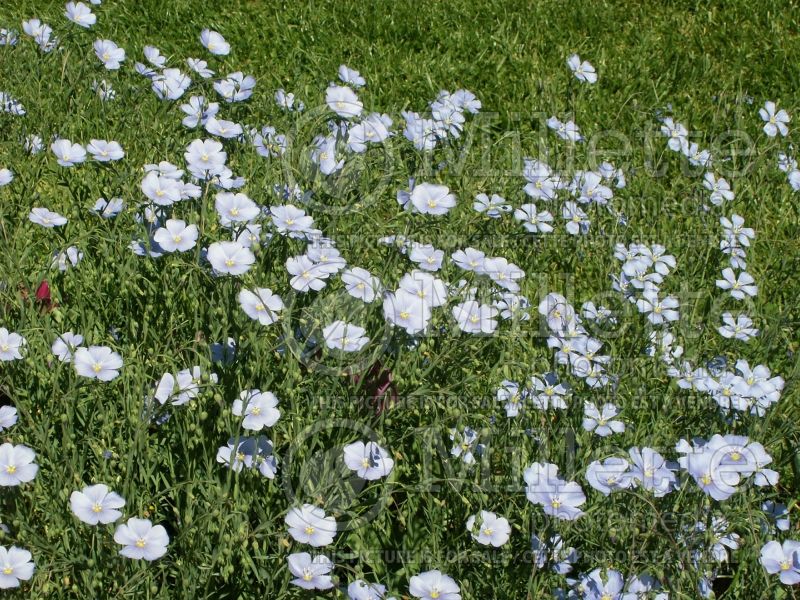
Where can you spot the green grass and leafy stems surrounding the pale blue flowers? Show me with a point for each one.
(712, 67)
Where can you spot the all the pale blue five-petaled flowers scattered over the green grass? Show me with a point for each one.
(202, 208)
